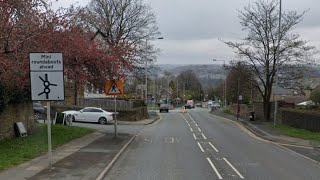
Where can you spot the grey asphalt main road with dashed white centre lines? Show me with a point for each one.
(197, 145)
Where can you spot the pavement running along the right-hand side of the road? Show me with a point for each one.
(262, 130)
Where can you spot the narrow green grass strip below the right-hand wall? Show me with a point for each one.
(299, 133)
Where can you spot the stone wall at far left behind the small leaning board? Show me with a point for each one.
(14, 113)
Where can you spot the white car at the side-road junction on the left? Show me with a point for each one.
(91, 114)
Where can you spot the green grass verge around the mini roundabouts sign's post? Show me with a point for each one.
(18, 150)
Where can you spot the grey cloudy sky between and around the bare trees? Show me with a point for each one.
(192, 28)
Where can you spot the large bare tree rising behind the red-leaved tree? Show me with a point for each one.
(118, 22)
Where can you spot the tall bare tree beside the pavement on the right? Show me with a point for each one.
(259, 48)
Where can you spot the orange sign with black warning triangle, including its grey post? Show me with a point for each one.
(114, 88)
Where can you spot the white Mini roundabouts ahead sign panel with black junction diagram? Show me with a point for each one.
(46, 73)
